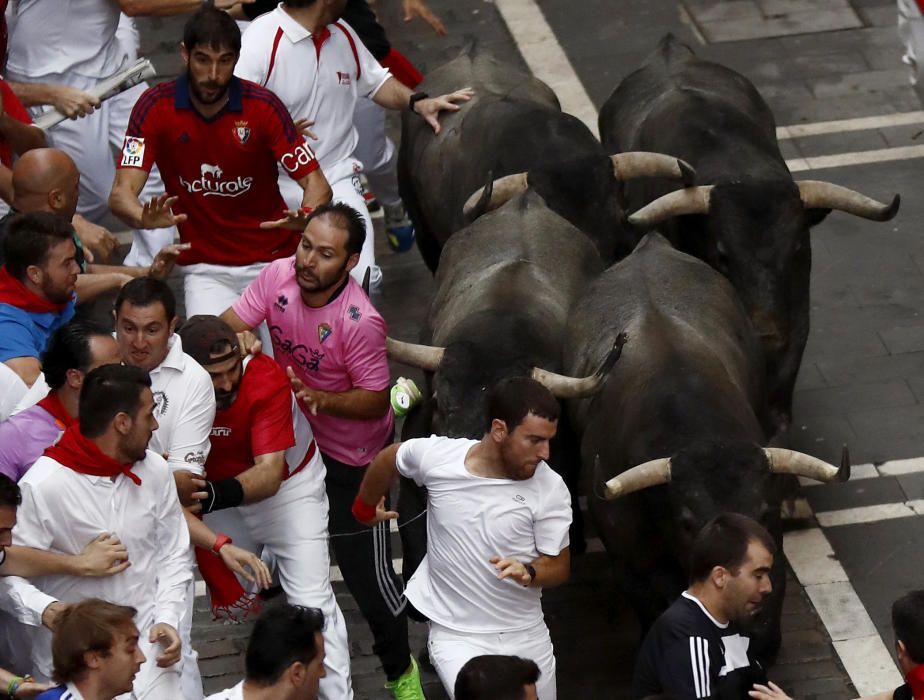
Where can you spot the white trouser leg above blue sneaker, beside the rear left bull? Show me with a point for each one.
(376, 152)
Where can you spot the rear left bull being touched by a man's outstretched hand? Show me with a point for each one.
(513, 130)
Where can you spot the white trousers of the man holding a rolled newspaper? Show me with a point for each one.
(90, 142)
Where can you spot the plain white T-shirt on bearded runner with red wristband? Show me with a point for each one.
(471, 519)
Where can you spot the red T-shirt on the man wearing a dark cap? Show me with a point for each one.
(257, 423)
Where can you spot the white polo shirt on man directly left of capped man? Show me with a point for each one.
(184, 408)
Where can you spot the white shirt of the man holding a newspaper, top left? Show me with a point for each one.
(64, 38)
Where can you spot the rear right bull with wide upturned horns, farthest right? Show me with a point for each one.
(752, 221)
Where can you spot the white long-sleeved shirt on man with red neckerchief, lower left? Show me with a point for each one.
(63, 510)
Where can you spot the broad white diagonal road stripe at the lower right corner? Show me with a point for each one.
(862, 652)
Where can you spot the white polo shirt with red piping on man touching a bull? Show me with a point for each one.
(317, 78)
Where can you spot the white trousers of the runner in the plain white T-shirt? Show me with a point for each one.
(450, 650)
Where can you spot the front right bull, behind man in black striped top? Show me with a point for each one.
(676, 435)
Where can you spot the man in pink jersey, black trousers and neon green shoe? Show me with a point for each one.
(329, 336)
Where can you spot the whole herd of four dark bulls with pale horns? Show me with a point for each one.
(537, 236)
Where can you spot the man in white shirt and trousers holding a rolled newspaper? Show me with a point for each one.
(59, 49)
